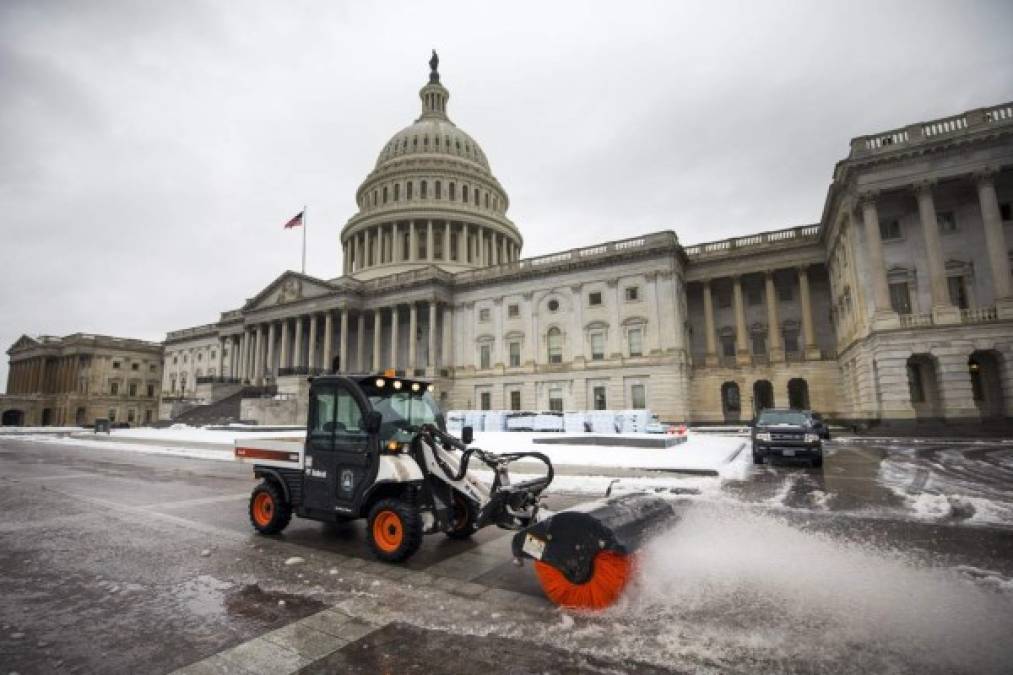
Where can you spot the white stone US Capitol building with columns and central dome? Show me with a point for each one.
(897, 306)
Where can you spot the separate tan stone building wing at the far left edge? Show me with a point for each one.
(73, 381)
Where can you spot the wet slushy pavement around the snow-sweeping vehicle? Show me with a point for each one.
(898, 555)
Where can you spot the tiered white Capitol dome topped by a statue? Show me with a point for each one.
(431, 199)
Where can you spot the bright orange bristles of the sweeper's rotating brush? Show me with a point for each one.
(611, 573)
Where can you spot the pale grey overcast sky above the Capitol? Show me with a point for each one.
(151, 152)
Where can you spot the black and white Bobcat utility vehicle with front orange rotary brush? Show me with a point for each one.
(377, 447)
